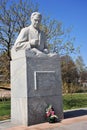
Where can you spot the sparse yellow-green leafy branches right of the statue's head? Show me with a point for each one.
(58, 39)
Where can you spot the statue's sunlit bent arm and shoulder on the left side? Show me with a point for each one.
(22, 42)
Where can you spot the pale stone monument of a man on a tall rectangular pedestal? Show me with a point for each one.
(35, 76)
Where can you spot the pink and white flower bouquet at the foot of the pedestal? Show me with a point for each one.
(50, 114)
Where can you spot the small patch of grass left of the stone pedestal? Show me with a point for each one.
(4, 110)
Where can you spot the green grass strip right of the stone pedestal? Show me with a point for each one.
(74, 101)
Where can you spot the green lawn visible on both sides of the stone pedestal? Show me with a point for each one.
(70, 101)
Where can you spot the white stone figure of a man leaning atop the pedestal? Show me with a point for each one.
(31, 37)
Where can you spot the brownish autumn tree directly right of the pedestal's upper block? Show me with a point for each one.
(69, 73)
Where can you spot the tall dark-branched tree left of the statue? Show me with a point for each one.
(13, 17)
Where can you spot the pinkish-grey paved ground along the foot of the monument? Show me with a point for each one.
(76, 123)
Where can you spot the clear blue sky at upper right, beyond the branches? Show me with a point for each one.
(70, 13)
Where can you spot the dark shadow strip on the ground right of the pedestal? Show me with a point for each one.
(75, 113)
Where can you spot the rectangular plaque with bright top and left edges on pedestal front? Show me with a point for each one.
(44, 79)
